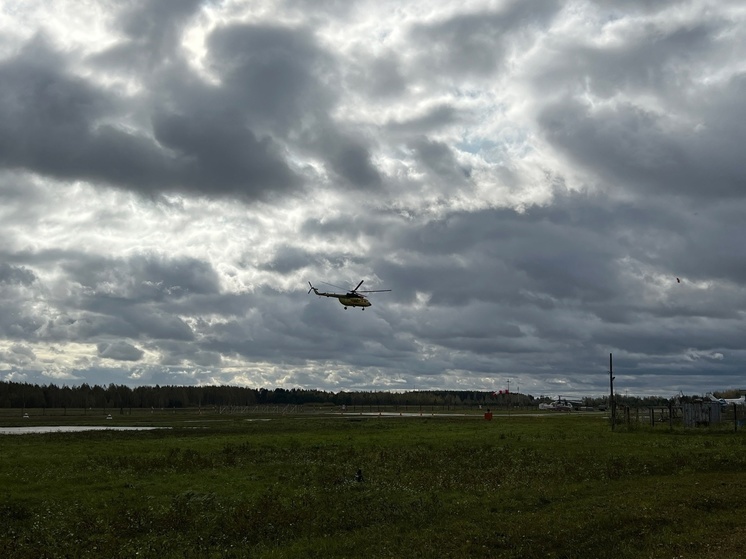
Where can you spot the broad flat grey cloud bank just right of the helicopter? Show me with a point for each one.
(557, 278)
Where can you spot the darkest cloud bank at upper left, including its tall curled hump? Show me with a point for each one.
(225, 140)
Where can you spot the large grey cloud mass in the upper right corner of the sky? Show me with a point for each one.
(604, 120)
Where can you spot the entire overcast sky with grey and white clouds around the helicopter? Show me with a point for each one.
(529, 178)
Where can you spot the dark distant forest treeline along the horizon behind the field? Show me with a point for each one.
(24, 395)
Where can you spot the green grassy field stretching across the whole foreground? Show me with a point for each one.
(274, 486)
